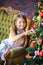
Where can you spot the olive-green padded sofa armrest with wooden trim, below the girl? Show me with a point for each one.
(15, 53)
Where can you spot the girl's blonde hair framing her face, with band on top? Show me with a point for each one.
(18, 15)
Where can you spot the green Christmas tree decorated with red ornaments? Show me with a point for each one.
(35, 45)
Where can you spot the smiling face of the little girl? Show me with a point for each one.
(20, 23)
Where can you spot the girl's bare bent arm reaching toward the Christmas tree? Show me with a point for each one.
(16, 37)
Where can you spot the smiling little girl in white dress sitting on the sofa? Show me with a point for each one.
(17, 35)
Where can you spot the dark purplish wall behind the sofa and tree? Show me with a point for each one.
(27, 6)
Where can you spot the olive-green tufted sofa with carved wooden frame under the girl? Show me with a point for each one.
(6, 21)
